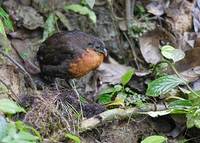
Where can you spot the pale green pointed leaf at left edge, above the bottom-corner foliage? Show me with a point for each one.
(10, 107)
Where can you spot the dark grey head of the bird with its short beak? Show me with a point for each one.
(99, 46)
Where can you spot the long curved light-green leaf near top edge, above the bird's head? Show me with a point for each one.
(82, 10)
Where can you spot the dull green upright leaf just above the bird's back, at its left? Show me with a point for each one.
(49, 26)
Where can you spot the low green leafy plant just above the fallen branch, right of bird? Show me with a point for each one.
(121, 94)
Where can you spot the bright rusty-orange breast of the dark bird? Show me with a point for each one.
(88, 61)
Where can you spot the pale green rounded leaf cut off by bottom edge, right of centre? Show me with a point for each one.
(155, 139)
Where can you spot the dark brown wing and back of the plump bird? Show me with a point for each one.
(60, 47)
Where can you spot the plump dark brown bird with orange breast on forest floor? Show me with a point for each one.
(70, 54)
